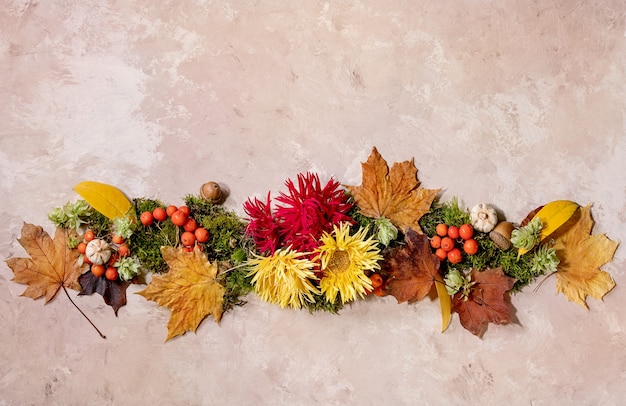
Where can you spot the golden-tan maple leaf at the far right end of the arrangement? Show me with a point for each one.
(581, 255)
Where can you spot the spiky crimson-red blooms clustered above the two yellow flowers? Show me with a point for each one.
(301, 217)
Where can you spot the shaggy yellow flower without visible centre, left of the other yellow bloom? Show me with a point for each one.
(284, 278)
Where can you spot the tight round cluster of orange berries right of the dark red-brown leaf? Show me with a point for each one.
(445, 242)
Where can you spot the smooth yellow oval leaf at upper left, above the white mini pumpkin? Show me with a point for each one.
(107, 199)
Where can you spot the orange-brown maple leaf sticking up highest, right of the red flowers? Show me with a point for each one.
(394, 194)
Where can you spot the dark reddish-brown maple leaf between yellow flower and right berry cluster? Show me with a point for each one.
(412, 269)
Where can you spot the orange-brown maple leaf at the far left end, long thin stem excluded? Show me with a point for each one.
(51, 265)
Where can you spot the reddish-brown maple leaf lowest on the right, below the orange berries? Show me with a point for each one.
(487, 302)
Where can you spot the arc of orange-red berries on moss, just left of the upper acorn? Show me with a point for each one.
(179, 216)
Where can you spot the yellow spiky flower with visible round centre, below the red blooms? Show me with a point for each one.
(344, 259)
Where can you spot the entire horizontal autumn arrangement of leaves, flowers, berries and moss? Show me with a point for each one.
(315, 246)
